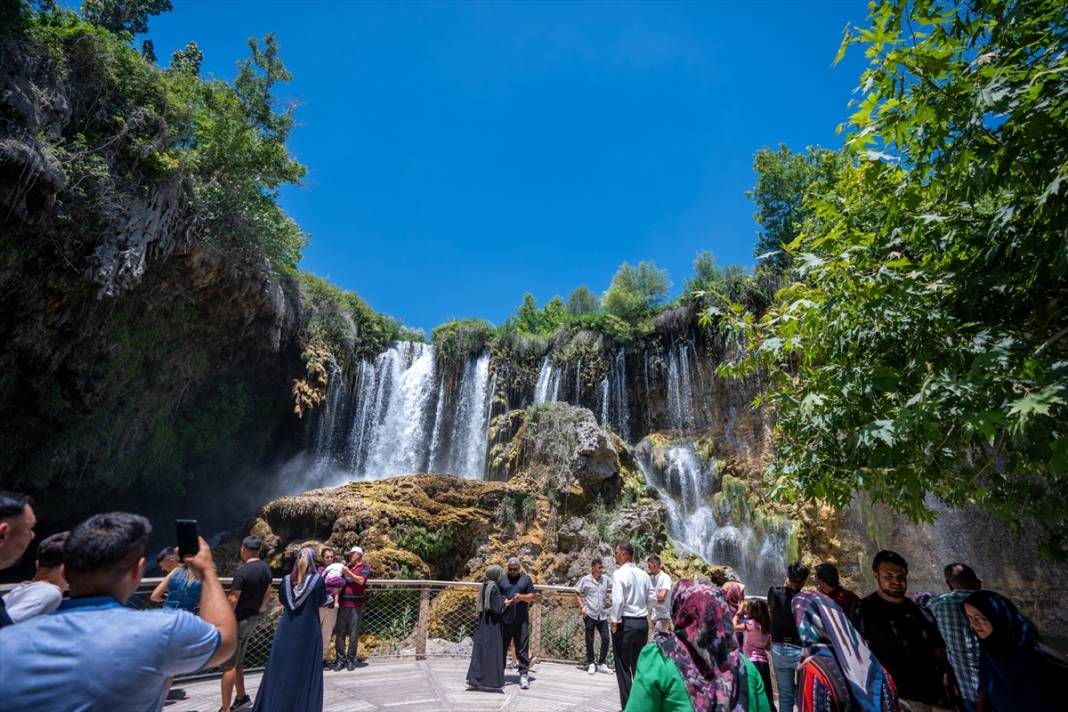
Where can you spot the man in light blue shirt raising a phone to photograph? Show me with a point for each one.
(93, 654)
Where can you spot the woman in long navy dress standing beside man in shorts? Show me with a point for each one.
(293, 679)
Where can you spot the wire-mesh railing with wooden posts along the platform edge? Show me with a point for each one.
(423, 620)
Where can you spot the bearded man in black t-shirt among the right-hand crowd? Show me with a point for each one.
(903, 636)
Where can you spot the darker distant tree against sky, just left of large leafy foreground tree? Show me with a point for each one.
(783, 181)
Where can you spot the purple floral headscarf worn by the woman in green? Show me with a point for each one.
(704, 648)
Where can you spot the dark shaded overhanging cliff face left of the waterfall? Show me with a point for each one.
(136, 360)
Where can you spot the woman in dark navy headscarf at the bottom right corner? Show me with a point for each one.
(1015, 674)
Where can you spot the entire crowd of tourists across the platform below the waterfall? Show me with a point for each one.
(70, 641)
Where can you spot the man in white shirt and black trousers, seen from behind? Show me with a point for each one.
(632, 600)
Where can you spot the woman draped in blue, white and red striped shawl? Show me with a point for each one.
(838, 671)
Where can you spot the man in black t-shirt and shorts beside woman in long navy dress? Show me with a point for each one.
(248, 595)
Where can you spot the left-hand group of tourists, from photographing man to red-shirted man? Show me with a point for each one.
(69, 641)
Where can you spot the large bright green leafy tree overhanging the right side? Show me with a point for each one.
(924, 350)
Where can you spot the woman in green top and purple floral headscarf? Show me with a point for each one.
(698, 667)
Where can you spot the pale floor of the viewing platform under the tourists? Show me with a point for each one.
(430, 686)
